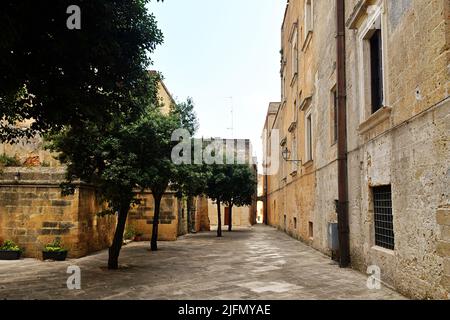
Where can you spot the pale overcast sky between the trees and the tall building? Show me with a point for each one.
(223, 54)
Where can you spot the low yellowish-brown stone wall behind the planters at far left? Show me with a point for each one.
(33, 213)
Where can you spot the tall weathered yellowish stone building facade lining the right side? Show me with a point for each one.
(398, 134)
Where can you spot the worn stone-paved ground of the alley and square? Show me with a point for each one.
(258, 263)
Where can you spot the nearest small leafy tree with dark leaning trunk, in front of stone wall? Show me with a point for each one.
(101, 157)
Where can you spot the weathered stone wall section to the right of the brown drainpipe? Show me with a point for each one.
(405, 144)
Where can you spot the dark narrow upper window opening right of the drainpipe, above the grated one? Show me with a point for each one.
(376, 70)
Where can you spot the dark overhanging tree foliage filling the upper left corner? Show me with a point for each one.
(59, 77)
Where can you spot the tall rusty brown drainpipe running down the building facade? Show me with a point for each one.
(342, 210)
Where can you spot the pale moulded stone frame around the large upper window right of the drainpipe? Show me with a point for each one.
(374, 12)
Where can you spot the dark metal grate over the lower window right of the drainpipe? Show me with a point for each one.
(384, 229)
